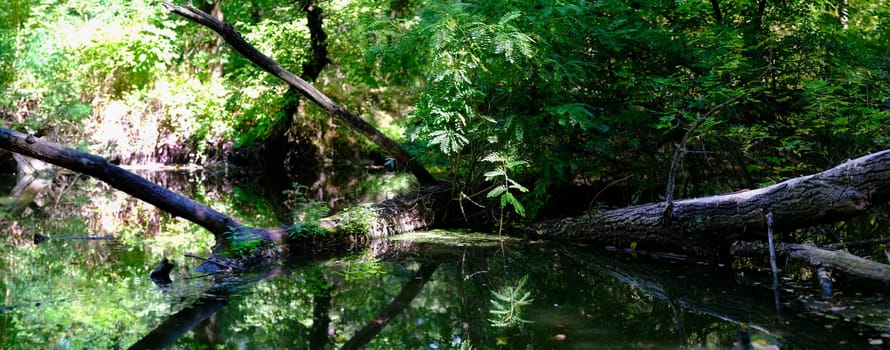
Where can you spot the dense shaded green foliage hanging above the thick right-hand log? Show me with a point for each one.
(593, 92)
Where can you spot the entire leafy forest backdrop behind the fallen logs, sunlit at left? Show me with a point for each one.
(569, 104)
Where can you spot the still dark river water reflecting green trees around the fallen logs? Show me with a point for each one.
(428, 290)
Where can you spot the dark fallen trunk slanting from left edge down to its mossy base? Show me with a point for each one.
(406, 213)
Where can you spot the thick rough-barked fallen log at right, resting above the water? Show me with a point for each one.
(708, 226)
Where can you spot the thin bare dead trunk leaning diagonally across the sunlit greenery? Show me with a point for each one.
(352, 121)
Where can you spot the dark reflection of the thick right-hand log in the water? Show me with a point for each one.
(720, 295)
